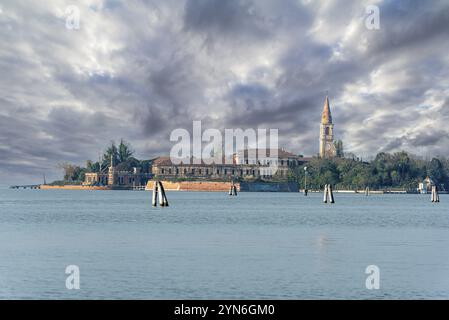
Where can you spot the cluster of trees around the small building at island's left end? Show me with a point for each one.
(122, 158)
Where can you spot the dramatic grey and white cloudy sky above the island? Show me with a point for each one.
(139, 69)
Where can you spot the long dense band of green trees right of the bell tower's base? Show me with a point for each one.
(398, 170)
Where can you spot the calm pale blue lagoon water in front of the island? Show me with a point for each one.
(212, 246)
